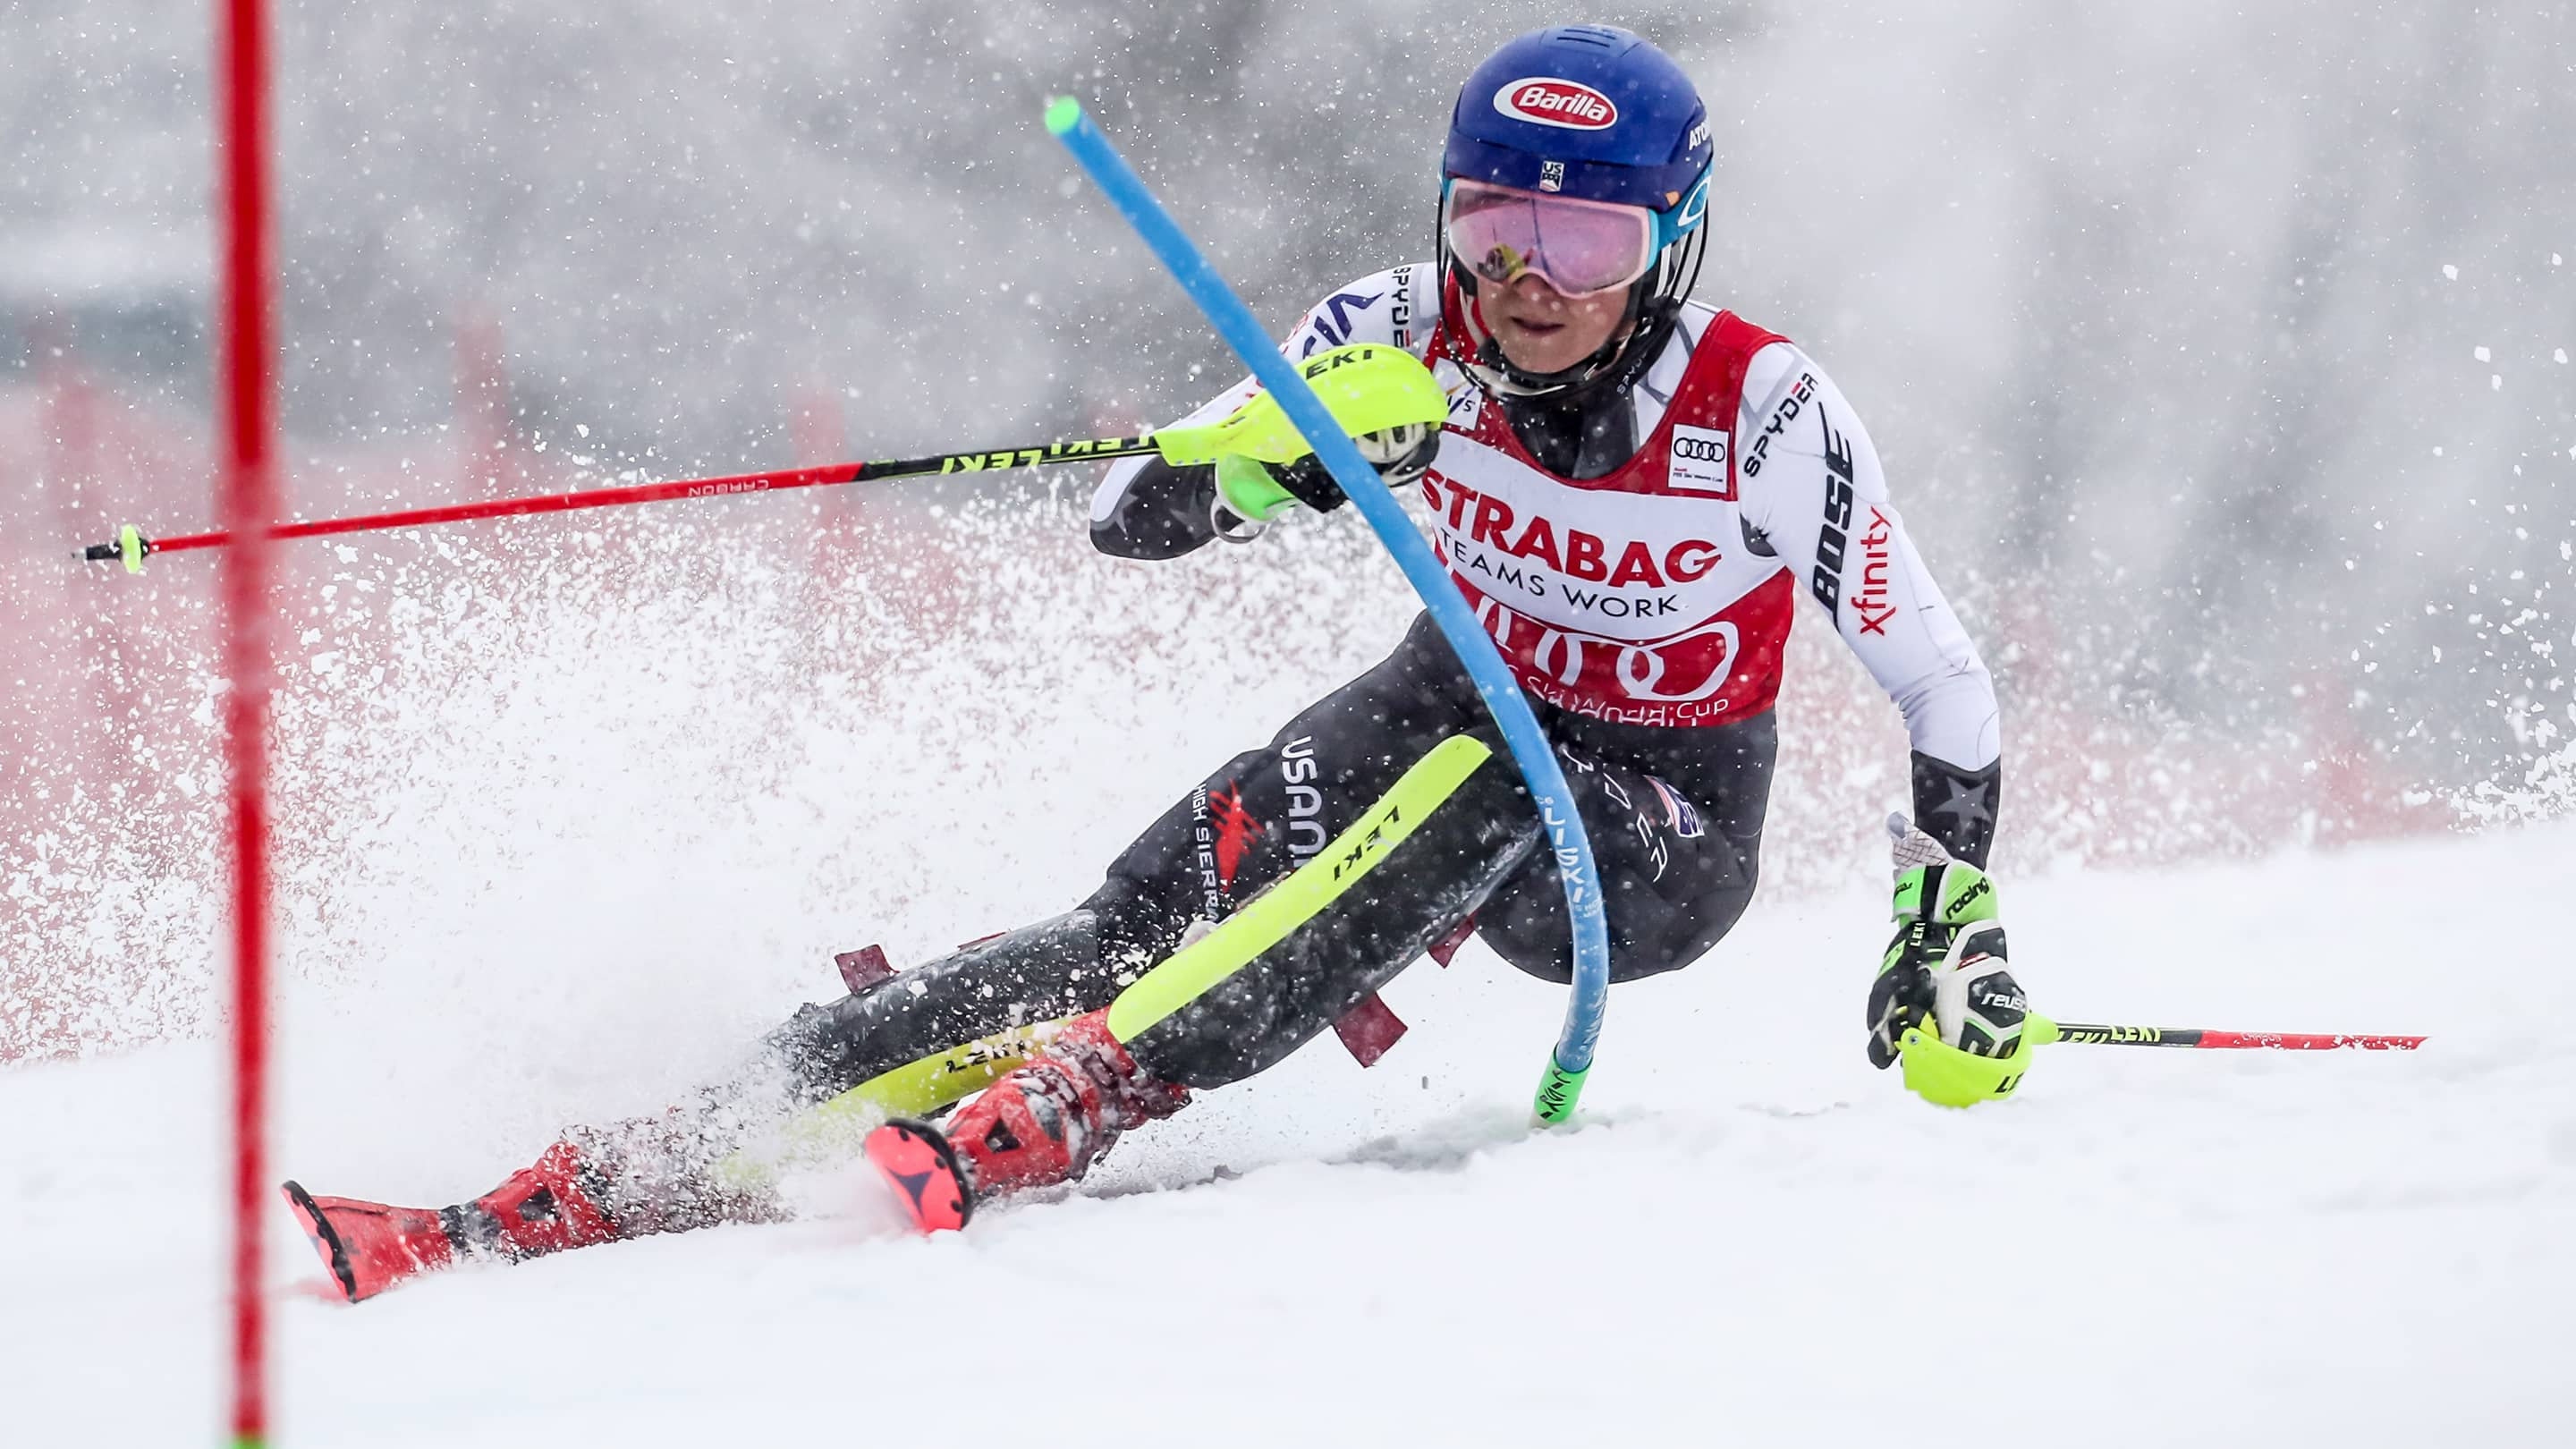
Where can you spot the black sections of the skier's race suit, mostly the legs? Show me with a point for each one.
(1676, 824)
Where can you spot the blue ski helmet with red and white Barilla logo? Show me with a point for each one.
(1598, 115)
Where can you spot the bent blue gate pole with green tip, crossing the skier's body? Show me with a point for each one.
(1495, 685)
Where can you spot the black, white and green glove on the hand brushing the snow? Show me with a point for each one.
(1946, 968)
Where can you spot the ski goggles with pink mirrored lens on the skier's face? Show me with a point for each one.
(1580, 249)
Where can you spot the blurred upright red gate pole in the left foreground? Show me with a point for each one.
(249, 509)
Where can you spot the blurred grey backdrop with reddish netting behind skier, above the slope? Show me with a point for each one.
(2217, 357)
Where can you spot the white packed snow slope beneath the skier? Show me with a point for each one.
(1748, 1239)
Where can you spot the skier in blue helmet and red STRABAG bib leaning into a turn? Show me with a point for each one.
(1632, 491)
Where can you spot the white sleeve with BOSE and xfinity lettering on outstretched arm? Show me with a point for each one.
(1812, 486)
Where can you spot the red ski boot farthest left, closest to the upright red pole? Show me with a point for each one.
(540, 1211)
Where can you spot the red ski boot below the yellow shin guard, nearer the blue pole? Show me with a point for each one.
(1042, 1125)
